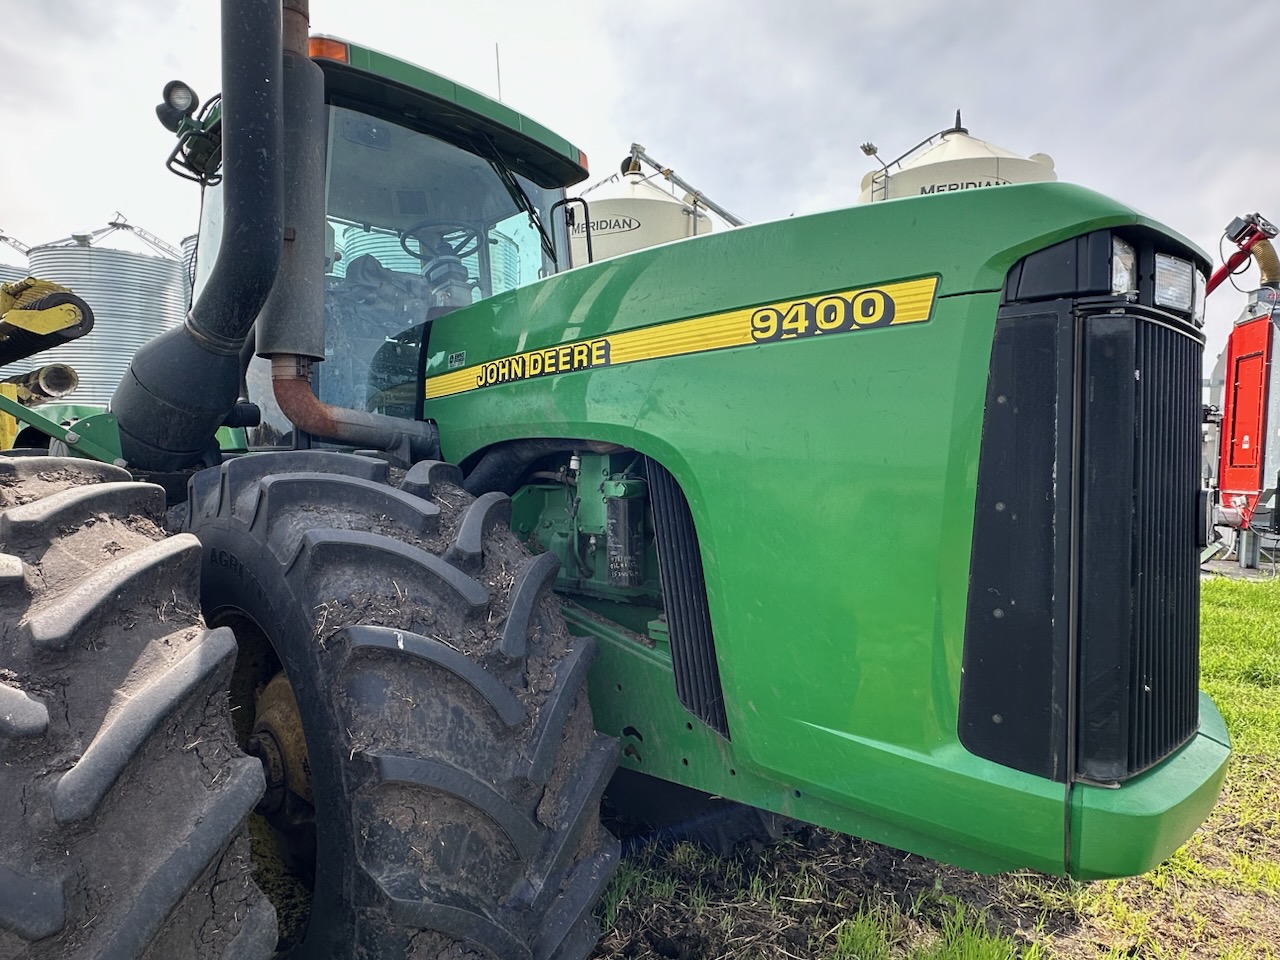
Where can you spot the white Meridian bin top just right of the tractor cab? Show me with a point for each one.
(632, 213)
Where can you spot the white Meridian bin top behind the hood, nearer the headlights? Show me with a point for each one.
(954, 161)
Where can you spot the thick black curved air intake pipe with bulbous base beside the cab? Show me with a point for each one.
(182, 385)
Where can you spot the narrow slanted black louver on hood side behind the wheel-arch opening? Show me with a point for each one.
(684, 595)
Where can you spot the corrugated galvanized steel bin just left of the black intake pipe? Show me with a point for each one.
(134, 298)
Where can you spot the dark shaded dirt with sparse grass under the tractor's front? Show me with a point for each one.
(676, 900)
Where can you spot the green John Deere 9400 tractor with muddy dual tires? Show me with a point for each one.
(883, 519)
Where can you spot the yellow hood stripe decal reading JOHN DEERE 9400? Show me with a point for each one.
(892, 305)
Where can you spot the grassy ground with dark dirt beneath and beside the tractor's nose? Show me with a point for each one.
(822, 897)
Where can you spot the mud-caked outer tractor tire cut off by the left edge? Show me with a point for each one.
(124, 793)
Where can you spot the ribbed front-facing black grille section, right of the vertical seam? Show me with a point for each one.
(1140, 616)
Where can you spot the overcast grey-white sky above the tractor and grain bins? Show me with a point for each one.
(762, 104)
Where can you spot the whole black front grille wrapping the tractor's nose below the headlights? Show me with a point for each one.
(1082, 639)
